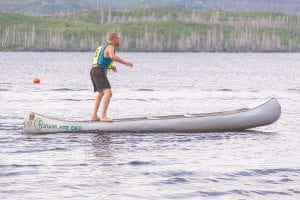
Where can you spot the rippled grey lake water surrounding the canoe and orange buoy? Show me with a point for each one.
(260, 164)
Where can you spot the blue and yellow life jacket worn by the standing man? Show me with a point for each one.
(100, 60)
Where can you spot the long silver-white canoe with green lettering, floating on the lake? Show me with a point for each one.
(236, 120)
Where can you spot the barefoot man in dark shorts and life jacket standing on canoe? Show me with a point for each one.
(104, 56)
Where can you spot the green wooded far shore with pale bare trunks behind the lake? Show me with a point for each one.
(153, 30)
